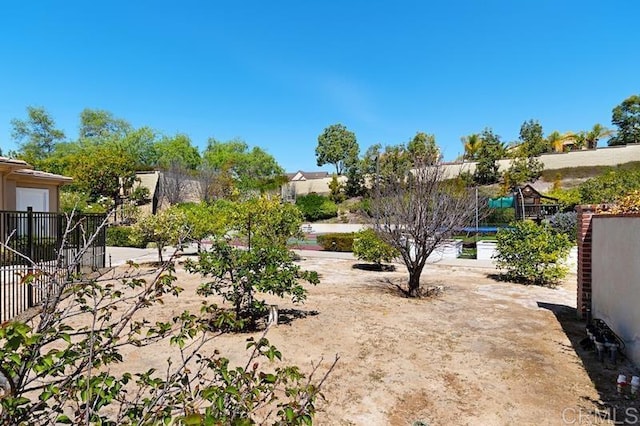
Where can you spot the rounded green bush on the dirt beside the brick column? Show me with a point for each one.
(532, 253)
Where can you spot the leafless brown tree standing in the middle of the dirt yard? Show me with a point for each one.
(416, 211)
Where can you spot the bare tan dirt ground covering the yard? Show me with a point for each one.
(483, 352)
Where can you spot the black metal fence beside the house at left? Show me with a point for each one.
(41, 249)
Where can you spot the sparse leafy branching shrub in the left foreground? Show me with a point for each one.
(65, 364)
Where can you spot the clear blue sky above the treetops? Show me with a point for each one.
(277, 73)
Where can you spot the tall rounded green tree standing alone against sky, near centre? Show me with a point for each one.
(338, 146)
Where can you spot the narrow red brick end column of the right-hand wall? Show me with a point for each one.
(585, 213)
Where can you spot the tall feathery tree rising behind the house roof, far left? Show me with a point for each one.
(36, 136)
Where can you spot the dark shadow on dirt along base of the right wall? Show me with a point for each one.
(614, 407)
